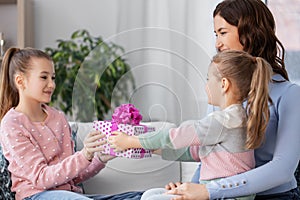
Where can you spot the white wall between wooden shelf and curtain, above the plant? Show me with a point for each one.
(58, 19)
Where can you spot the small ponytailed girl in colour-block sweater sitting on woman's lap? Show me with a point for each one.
(225, 140)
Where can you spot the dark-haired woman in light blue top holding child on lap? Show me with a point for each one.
(249, 25)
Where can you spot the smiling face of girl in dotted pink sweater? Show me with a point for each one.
(39, 81)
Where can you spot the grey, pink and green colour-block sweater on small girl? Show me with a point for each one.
(218, 140)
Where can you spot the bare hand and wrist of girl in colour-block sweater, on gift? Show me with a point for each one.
(121, 141)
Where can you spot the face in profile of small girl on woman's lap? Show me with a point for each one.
(213, 86)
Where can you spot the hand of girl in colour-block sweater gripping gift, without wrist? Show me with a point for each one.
(119, 141)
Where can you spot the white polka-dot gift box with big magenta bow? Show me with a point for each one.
(126, 119)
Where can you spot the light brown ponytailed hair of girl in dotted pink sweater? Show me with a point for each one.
(15, 60)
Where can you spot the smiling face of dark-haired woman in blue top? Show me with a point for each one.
(227, 37)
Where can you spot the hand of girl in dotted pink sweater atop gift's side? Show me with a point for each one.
(92, 144)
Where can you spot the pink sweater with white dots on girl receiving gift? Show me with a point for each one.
(41, 154)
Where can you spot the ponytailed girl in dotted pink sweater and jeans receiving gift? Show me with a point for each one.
(36, 138)
